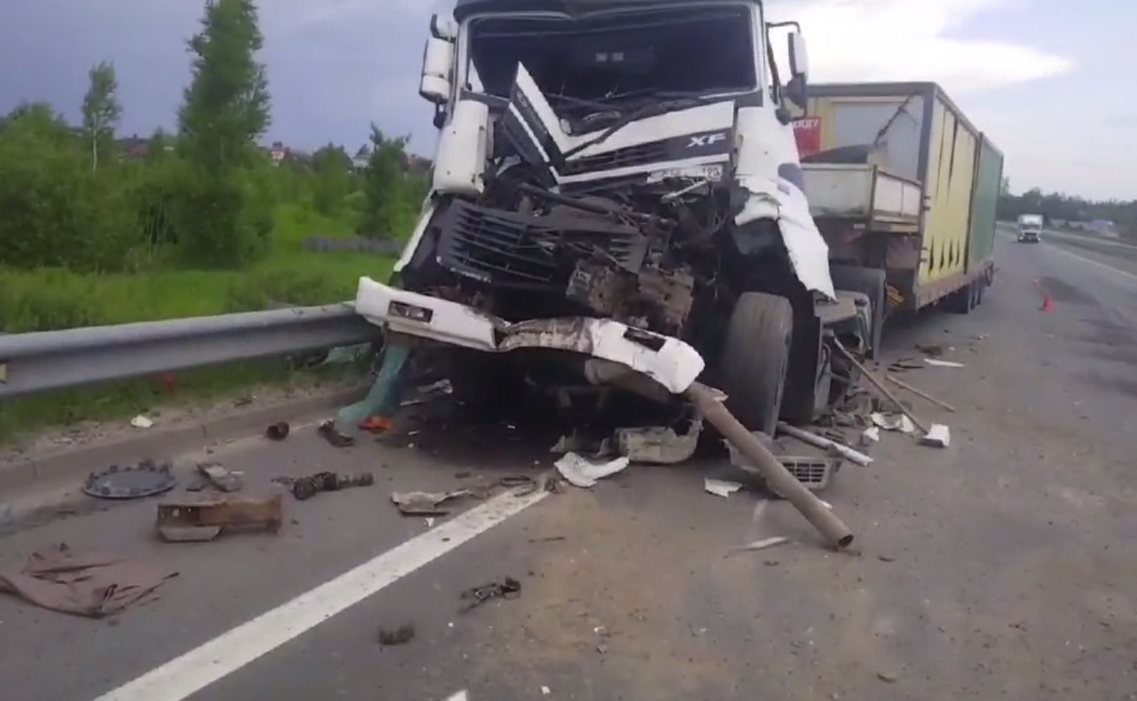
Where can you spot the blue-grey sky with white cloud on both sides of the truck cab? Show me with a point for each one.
(1043, 78)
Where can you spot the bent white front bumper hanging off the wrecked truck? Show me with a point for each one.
(669, 362)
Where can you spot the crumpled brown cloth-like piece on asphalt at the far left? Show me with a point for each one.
(93, 585)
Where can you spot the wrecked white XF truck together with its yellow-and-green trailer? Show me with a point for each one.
(642, 185)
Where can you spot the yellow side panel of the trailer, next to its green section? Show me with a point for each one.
(950, 179)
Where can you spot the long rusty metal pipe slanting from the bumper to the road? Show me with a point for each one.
(778, 479)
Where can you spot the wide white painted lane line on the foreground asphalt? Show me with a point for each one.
(230, 652)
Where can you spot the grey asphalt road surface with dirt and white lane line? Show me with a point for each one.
(1001, 568)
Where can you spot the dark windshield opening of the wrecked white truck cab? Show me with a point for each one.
(578, 36)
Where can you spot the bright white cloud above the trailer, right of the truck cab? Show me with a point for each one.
(899, 40)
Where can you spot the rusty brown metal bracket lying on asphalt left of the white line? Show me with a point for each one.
(204, 521)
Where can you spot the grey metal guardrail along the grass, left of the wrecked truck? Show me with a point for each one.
(54, 360)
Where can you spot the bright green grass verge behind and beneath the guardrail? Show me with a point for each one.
(44, 301)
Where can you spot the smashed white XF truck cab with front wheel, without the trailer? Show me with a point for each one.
(619, 179)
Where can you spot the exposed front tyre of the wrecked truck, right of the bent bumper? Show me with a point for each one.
(756, 360)
